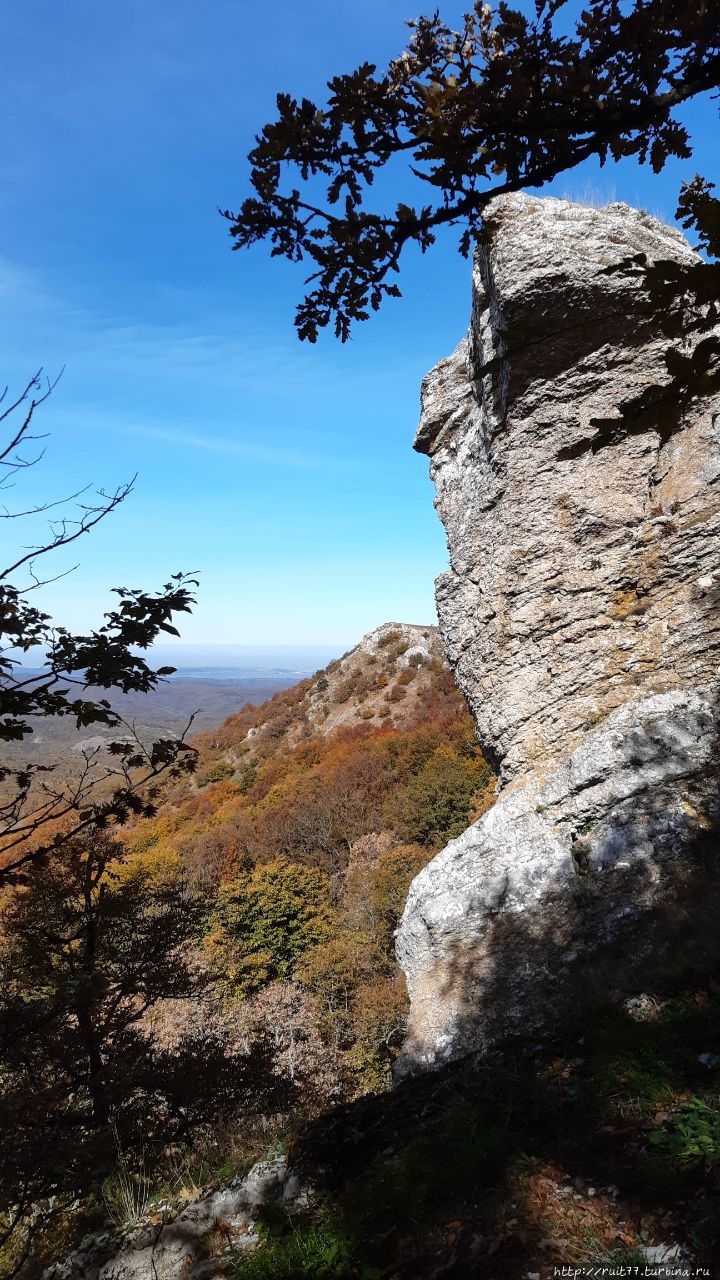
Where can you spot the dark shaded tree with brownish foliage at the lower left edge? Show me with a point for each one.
(104, 1016)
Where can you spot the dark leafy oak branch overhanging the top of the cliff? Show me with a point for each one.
(505, 103)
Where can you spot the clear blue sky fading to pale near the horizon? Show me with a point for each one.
(282, 472)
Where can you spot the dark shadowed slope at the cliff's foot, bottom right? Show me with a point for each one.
(596, 1140)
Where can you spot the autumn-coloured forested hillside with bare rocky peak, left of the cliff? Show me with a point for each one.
(247, 926)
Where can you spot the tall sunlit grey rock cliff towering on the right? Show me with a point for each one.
(581, 614)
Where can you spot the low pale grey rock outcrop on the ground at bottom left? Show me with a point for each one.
(195, 1245)
